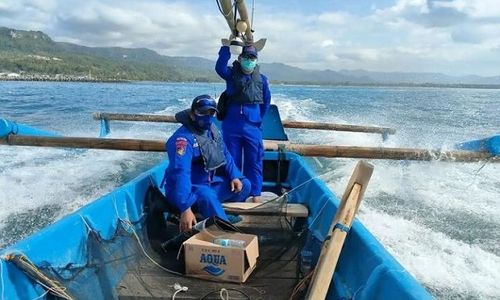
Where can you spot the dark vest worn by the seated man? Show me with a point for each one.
(212, 149)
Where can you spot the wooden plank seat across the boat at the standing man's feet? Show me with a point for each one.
(289, 210)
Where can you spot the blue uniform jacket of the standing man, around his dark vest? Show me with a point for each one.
(252, 112)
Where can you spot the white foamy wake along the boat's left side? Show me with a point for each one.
(35, 177)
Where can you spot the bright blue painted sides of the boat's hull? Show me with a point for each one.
(90, 250)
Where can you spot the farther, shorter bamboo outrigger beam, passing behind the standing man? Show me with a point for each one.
(286, 123)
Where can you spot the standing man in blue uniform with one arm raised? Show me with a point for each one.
(247, 100)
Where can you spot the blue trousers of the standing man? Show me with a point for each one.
(244, 142)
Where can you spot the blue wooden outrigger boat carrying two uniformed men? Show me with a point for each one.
(108, 248)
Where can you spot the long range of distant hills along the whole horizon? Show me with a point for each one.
(34, 52)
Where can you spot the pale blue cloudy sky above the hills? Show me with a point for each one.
(454, 37)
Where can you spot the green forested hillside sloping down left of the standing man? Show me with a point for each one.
(33, 52)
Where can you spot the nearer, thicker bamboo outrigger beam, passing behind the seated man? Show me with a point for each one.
(302, 149)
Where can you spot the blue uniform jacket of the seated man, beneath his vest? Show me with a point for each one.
(186, 168)
